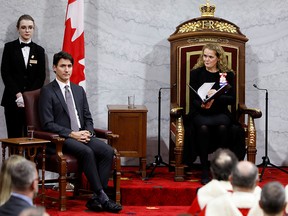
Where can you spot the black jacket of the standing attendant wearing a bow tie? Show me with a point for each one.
(15, 75)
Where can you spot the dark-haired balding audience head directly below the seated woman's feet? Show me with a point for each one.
(222, 164)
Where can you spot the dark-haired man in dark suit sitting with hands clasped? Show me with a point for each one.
(72, 120)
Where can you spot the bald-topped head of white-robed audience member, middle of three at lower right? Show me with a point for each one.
(244, 177)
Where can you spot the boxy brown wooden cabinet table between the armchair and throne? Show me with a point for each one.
(131, 125)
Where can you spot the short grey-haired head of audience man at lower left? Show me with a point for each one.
(24, 178)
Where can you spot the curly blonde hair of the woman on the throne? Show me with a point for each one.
(222, 64)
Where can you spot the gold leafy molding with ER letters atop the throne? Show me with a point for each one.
(208, 24)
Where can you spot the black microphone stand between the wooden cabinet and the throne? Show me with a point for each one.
(158, 158)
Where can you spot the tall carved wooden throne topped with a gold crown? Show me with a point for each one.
(185, 47)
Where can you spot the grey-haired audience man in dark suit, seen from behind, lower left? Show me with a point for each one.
(24, 179)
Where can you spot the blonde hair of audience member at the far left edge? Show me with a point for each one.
(5, 177)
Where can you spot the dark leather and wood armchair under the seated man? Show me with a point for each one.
(65, 164)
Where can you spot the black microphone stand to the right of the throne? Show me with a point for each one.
(266, 160)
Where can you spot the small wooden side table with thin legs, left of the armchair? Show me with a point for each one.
(25, 145)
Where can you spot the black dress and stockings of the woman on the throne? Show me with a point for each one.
(207, 129)
